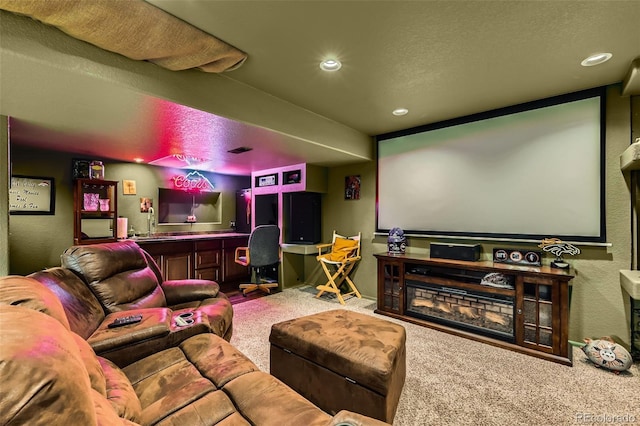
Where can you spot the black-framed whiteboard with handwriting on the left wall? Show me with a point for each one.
(31, 195)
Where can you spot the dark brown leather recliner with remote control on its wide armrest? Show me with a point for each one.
(104, 282)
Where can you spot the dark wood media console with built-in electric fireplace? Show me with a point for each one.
(521, 308)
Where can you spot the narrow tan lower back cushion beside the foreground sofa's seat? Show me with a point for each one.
(120, 392)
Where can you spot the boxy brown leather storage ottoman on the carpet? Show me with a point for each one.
(341, 359)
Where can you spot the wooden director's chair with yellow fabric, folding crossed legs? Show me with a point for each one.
(338, 263)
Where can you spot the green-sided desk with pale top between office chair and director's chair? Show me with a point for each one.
(298, 263)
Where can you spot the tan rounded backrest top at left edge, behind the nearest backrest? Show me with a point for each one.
(27, 292)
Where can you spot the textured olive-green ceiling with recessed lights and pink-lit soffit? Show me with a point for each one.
(439, 59)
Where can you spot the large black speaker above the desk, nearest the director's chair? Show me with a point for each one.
(303, 219)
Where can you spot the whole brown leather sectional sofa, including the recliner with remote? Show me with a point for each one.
(51, 375)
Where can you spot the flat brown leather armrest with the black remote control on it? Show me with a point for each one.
(156, 322)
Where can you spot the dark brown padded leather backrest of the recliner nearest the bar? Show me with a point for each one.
(117, 273)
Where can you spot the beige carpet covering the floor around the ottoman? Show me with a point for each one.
(456, 381)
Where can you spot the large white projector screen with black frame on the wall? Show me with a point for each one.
(526, 173)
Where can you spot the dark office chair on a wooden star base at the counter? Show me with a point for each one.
(263, 257)
